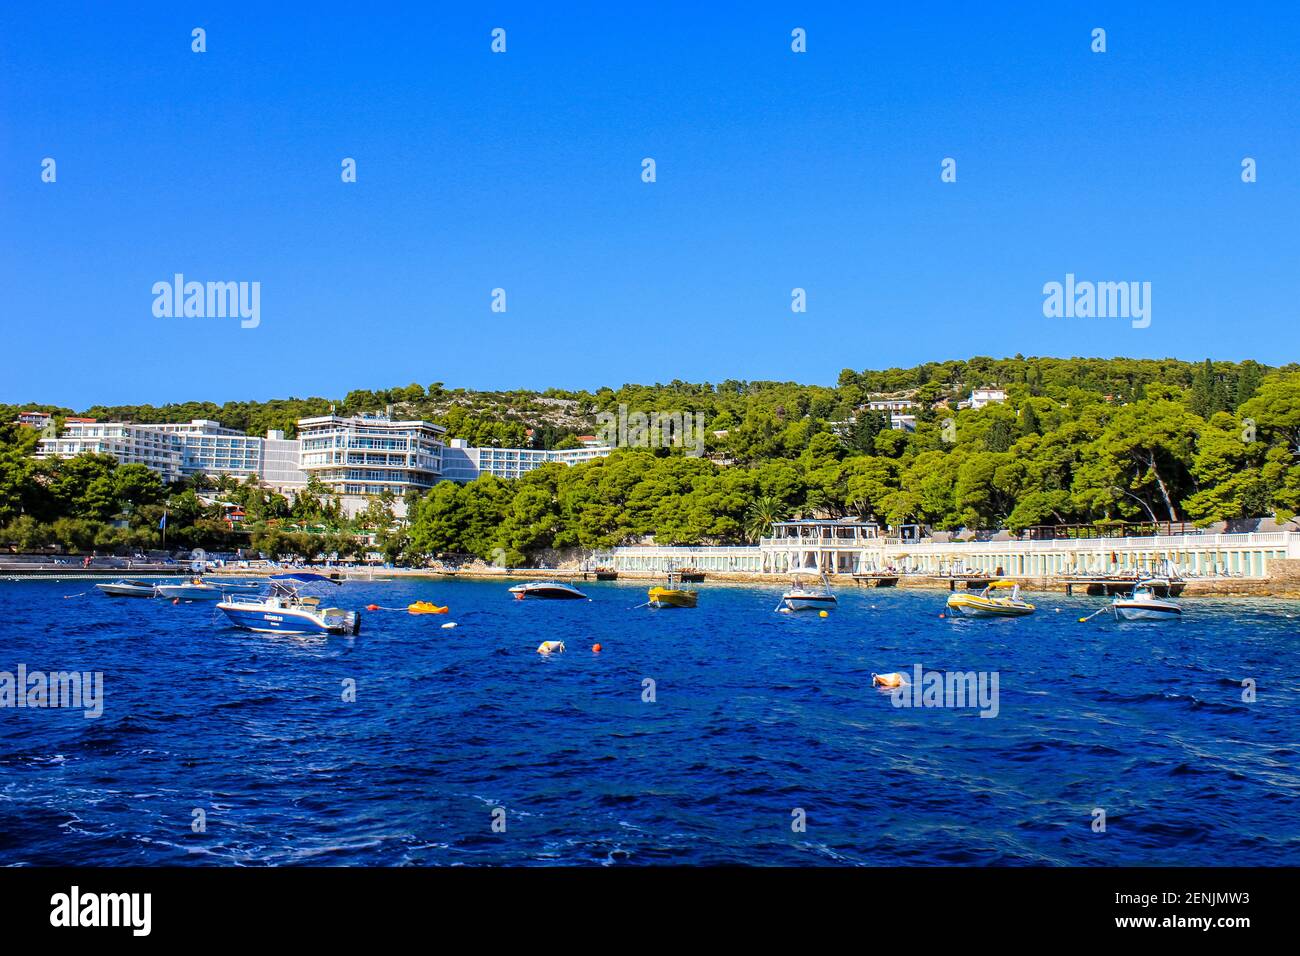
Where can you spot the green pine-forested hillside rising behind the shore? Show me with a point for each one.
(1077, 442)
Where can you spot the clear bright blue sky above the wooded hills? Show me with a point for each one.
(522, 171)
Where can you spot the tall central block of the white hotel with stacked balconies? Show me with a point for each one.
(370, 455)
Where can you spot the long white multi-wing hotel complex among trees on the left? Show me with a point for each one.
(357, 457)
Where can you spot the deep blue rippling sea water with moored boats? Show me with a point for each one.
(755, 716)
